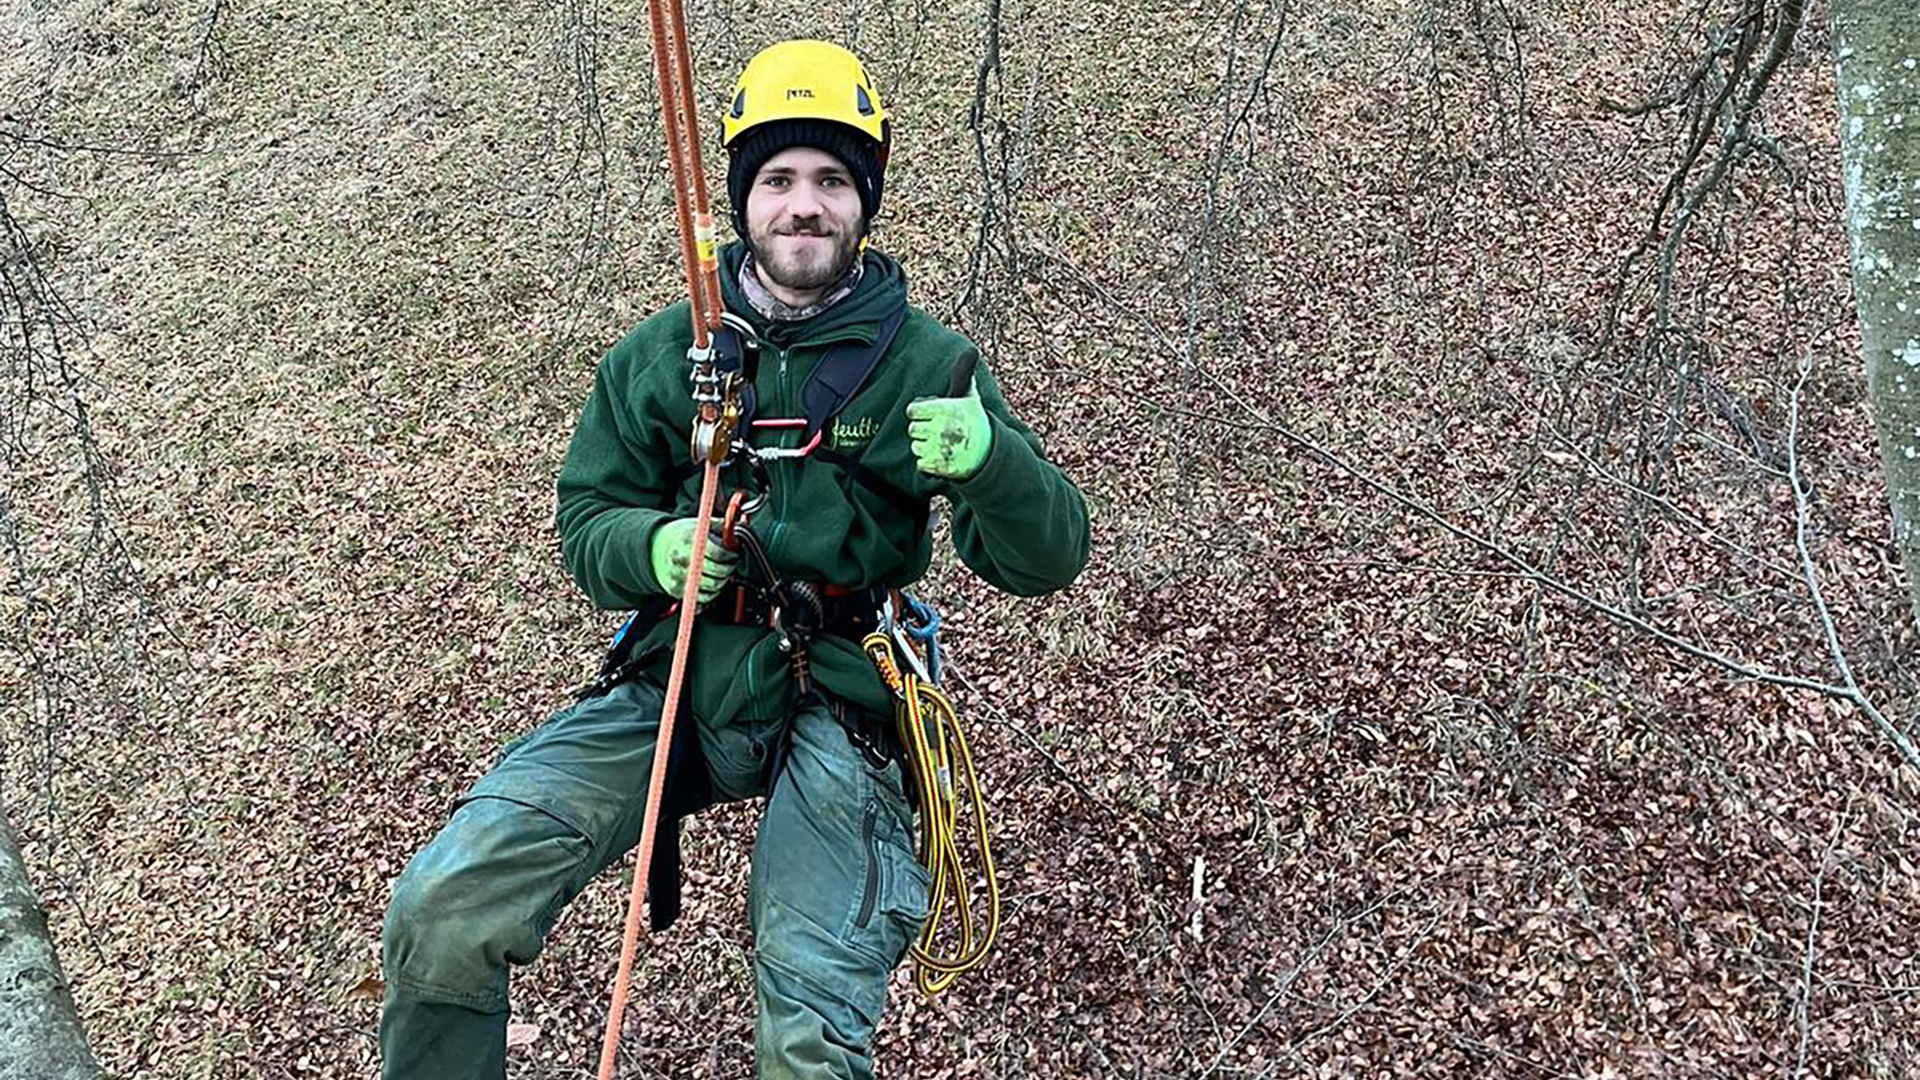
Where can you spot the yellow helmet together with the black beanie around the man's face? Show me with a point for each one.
(805, 93)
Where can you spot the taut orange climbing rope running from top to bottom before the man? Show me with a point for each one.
(711, 433)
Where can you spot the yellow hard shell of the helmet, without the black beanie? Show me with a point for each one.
(804, 80)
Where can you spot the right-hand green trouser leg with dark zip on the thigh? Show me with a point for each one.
(838, 895)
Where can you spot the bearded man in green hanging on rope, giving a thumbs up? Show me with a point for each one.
(836, 891)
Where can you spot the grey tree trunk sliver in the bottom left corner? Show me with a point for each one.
(41, 1033)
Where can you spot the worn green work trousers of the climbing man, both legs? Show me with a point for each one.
(836, 893)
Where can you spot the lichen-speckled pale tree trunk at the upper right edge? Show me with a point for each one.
(1879, 72)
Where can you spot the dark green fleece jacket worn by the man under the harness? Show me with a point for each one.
(1019, 524)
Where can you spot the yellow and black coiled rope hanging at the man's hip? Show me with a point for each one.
(936, 758)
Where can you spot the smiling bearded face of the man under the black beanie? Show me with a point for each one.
(804, 220)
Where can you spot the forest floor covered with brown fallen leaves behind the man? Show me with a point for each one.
(1291, 783)
